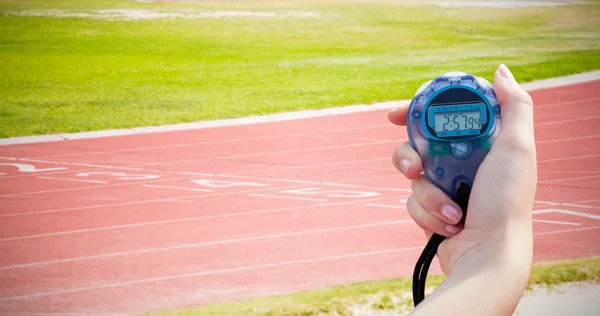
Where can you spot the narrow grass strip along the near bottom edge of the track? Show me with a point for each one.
(389, 295)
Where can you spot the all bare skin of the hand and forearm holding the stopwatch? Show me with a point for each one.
(487, 261)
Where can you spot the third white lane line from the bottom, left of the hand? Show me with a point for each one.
(186, 219)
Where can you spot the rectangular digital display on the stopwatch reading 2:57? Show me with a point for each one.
(456, 120)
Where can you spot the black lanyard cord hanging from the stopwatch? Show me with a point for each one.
(422, 267)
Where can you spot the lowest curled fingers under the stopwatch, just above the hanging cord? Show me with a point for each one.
(432, 209)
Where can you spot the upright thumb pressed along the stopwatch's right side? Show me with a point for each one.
(517, 131)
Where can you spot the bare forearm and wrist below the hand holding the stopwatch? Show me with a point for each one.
(488, 280)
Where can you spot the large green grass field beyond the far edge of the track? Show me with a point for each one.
(81, 74)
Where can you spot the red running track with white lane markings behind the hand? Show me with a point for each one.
(128, 224)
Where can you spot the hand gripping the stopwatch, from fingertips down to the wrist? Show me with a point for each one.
(501, 201)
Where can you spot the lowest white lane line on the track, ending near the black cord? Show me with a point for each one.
(210, 272)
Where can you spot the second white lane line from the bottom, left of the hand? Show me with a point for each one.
(202, 244)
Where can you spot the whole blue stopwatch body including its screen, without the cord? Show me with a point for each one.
(452, 122)
